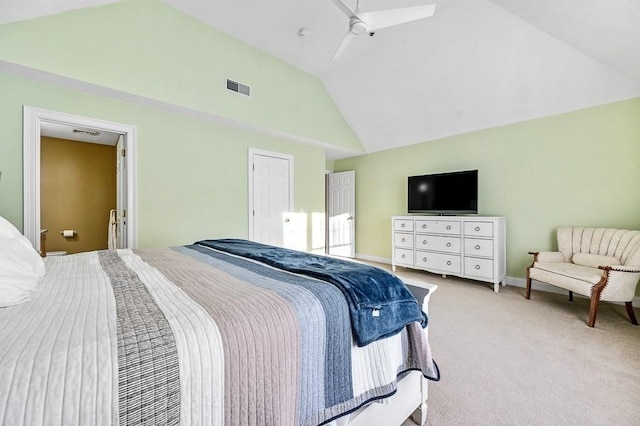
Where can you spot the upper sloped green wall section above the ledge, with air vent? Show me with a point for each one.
(149, 49)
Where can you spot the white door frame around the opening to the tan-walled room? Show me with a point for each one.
(32, 119)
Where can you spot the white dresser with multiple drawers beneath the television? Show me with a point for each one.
(466, 246)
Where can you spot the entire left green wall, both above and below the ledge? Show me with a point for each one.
(192, 173)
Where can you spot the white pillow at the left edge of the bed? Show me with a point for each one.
(20, 266)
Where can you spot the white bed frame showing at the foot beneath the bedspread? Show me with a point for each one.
(409, 401)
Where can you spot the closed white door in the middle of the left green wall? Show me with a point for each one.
(270, 196)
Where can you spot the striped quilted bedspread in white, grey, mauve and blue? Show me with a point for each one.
(181, 336)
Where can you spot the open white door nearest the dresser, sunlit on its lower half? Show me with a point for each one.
(341, 213)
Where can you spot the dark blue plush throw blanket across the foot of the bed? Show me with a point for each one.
(379, 303)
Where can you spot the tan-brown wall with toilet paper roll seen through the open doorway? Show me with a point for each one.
(77, 190)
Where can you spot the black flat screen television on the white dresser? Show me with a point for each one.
(444, 193)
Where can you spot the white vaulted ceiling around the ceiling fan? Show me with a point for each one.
(476, 64)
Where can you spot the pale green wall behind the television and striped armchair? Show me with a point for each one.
(576, 169)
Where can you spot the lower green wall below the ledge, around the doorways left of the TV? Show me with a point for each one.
(192, 174)
